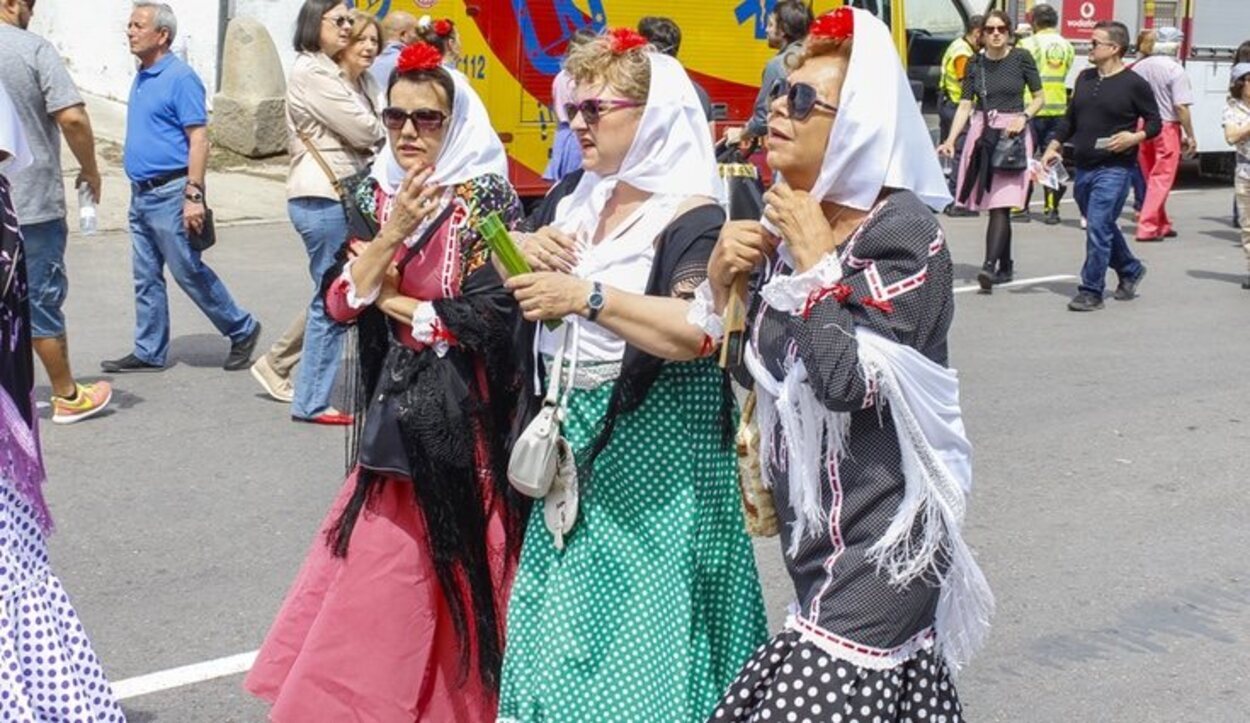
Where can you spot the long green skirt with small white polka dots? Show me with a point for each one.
(654, 605)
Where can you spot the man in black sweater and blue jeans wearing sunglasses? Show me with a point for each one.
(1102, 124)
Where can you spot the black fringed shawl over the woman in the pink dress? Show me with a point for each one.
(441, 408)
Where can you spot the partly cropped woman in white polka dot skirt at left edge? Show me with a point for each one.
(48, 670)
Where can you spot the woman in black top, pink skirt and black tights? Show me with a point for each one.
(994, 96)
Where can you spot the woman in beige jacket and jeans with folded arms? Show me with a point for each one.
(329, 113)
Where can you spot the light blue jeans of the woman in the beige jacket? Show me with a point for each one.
(324, 230)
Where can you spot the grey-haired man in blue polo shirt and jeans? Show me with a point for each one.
(166, 157)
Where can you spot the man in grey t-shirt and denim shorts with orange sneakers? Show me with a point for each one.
(49, 106)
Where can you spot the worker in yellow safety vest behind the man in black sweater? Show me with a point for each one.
(1054, 57)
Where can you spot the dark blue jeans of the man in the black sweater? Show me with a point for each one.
(1101, 193)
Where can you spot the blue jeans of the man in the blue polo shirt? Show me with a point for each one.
(158, 238)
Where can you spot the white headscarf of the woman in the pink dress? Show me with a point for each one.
(471, 149)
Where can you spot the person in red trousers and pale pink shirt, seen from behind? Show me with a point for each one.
(1161, 157)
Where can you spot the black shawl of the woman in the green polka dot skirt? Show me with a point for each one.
(681, 266)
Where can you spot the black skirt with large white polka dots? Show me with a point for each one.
(793, 681)
